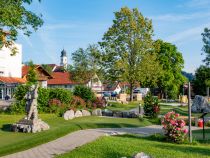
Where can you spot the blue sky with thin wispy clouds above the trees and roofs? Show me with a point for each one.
(73, 24)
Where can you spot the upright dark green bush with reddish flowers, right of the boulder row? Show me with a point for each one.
(151, 106)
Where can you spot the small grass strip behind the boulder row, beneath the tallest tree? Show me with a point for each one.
(122, 107)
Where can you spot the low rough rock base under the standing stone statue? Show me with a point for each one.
(28, 126)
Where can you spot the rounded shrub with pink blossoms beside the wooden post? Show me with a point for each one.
(174, 127)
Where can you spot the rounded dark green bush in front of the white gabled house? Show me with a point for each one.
(84, 92)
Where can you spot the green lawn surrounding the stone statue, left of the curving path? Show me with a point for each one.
(11, 142)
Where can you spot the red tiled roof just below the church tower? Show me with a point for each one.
(61, 78)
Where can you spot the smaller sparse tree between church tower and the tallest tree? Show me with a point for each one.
(85, 63)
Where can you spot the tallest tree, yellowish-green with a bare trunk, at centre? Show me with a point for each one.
(124, 44)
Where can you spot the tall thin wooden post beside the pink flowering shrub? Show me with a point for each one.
(189, 114)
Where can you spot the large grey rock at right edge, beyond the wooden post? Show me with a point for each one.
(200, 104)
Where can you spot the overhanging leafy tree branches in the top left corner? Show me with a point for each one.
(15, 17)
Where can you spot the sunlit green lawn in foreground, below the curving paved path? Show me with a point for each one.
(128, 145)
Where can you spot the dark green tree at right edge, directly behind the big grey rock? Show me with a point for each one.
(201, 81)
